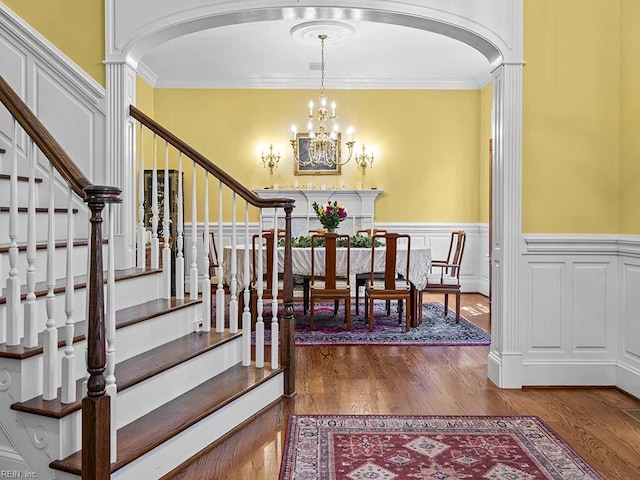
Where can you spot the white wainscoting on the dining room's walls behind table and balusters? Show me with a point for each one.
(475, 263)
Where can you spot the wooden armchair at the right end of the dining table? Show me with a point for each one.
(444, 276)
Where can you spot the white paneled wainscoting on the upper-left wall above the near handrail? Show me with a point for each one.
(68, 101)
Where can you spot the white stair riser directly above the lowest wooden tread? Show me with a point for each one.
(139, 400)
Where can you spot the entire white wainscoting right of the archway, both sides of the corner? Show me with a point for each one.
(581, 310)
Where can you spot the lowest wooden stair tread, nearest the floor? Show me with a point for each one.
(146, 433)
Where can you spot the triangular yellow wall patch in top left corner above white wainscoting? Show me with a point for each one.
(76, 27)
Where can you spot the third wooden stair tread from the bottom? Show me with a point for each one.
(124, 317)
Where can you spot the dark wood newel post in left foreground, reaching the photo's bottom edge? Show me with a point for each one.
(96, 411)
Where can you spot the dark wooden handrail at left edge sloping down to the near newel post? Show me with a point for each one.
(45, 141)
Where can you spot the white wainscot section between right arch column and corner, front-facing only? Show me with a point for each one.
(569, 310)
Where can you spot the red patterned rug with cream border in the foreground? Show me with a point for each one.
(360, 447)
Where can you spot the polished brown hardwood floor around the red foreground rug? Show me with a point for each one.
(414, 380)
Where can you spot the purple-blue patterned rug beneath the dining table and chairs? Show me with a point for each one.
(435, 329)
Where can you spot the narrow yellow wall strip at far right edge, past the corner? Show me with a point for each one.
(630, 119)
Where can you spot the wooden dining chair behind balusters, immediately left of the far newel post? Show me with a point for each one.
(267, 269)
